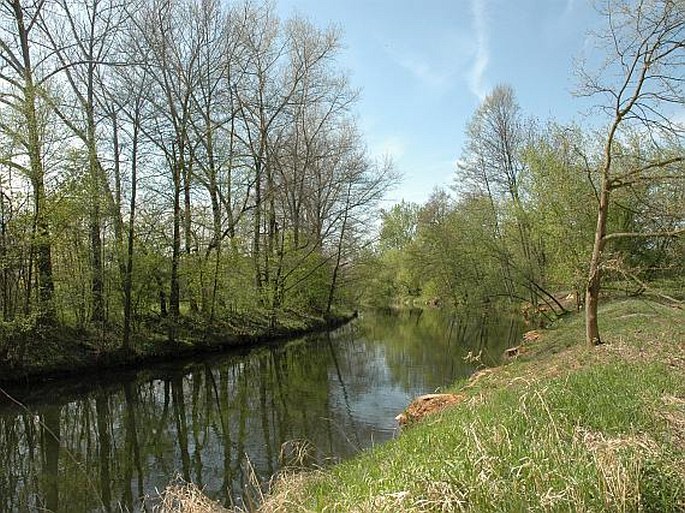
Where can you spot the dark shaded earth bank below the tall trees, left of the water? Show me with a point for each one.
(60, 352)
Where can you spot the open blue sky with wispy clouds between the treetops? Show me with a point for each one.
(423, 66)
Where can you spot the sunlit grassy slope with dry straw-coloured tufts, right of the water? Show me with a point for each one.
(561, 427)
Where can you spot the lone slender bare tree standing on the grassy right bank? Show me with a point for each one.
(640, 82)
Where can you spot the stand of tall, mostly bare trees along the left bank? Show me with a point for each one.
(169, 162)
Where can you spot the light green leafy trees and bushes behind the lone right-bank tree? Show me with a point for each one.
(485, 245)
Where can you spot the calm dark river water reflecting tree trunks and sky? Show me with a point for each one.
(100, 444)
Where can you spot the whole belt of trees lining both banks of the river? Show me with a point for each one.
(191, 162)
